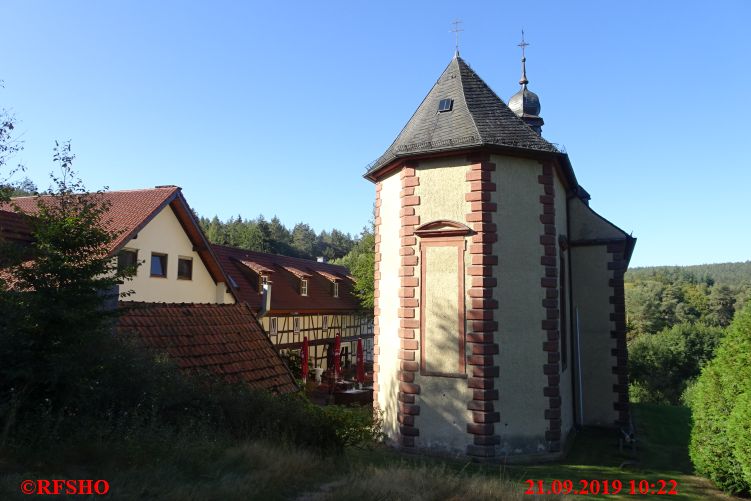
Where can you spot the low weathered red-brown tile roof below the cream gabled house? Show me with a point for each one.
(225, 339)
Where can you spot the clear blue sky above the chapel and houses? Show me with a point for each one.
(277, 107)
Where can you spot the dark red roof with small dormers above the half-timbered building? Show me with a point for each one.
(285, 289)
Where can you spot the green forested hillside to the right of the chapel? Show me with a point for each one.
(677, 317)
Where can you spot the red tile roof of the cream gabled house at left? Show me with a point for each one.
(131, 210)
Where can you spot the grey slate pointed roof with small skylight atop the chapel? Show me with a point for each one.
(478, 118)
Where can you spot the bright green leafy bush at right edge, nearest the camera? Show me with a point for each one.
(721, 411)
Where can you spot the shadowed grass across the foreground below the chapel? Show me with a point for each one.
(185, 468)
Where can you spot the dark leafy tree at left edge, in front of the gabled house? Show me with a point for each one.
(54, 320)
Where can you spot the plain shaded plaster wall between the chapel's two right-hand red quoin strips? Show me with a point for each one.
(519, 293)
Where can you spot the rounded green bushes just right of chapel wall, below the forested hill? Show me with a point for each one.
(662, 364)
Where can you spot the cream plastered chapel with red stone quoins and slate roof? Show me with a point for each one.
(478, 224)
